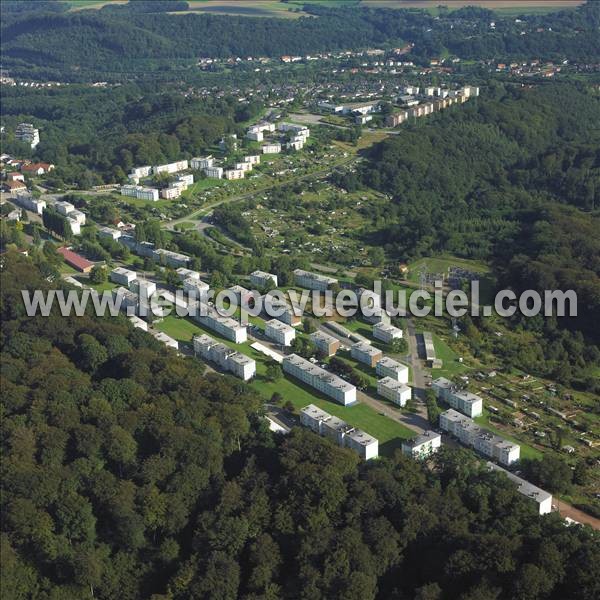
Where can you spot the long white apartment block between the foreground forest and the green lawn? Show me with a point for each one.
(339, 431)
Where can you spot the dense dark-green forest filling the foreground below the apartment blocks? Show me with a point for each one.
(129, 472)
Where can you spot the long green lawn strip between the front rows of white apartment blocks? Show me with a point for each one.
(389, 433)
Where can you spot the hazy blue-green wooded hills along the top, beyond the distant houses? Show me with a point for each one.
(132, 40)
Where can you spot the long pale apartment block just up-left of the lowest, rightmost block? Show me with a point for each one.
(482, 440)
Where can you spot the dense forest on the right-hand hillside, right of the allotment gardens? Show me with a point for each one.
(512, 178)
